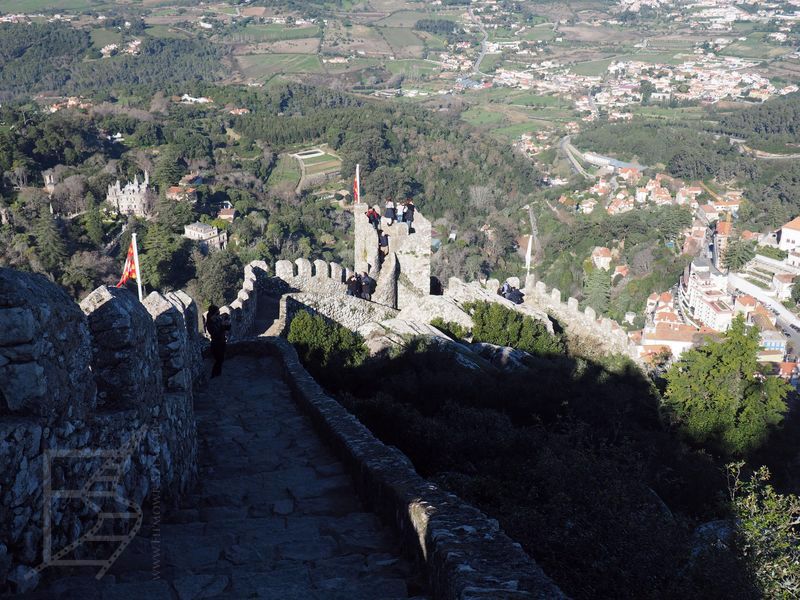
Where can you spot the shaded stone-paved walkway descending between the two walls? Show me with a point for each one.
(274, 514)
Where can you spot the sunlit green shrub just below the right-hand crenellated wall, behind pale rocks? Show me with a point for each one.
(496, 324)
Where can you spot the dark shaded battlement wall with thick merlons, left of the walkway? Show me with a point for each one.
(110, 375)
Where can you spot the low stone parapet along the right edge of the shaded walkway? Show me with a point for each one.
(465, 554)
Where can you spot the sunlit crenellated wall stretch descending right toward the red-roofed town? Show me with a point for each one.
(605, 333)
